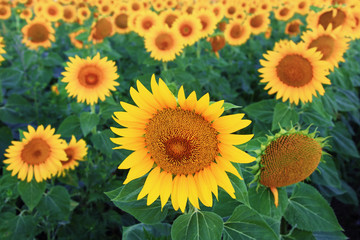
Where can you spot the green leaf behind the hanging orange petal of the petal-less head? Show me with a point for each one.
(262, 200)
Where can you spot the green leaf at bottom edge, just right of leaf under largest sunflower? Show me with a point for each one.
(246, 223)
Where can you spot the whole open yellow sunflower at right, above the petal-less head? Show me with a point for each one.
(294, 72)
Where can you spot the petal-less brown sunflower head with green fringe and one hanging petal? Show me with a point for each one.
(287, 158)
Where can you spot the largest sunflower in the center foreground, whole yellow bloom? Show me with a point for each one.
(186, 145)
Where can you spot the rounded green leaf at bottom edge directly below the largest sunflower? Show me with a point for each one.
(197, 225)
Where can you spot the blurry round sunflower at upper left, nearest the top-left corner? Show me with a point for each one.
(38, 33)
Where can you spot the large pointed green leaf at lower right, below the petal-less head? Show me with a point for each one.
(309, 211)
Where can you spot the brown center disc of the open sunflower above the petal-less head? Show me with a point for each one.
(294, 70)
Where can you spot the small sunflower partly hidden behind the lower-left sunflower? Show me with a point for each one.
(75, 151)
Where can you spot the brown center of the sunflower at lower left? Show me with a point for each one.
(36, 151)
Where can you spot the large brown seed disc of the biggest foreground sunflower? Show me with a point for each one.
(181, 141)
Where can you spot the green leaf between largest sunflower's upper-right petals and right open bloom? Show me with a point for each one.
(262, 110)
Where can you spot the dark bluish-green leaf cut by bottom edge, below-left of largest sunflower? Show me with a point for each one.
(144, 231)
